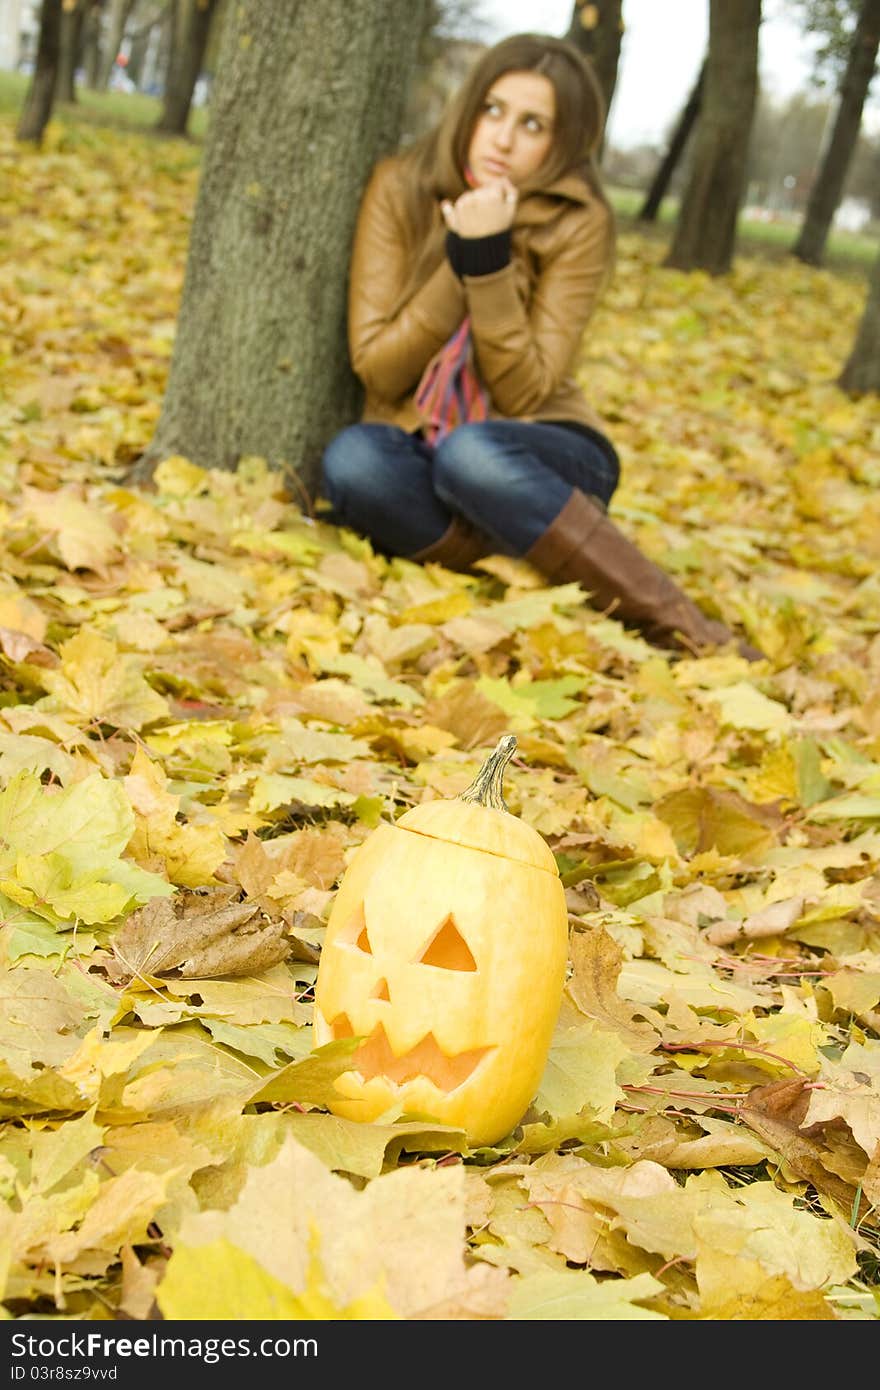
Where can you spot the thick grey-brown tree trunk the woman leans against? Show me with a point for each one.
(305, 101)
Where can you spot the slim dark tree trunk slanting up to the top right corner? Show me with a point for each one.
(829, 184)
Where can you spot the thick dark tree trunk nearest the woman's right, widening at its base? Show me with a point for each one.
(707, 227)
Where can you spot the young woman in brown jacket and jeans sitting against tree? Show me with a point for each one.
(479, 259)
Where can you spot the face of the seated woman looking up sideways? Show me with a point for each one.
(515, 129)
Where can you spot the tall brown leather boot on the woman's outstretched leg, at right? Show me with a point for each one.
(585, 544)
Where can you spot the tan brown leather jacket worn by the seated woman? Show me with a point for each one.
(528, 320)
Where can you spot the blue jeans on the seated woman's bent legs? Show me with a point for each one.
(508, 477)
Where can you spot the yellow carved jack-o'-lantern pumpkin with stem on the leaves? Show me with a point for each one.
(446, 954)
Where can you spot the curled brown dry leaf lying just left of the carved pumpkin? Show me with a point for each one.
(199, 935)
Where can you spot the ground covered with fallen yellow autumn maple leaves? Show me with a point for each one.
(208, 701)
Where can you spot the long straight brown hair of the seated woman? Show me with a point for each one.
(439, 159)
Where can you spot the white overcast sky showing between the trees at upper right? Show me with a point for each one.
(662, 48)
